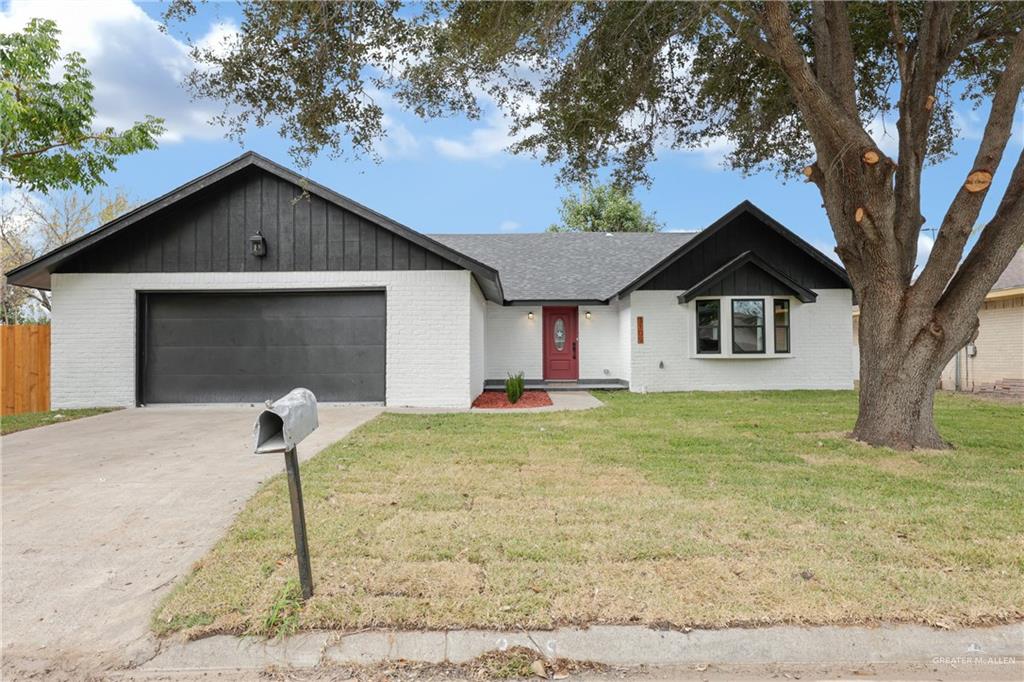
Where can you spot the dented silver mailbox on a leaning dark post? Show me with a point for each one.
(280, 430)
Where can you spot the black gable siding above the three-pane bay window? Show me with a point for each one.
(745, 234)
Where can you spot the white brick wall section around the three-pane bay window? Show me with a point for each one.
(821, 336)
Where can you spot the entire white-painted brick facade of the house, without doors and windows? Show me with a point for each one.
(444, 339)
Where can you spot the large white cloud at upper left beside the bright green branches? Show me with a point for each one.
(137, 69)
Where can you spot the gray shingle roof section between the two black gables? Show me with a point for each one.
(567, 266)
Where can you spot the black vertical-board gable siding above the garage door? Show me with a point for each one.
(210, 235)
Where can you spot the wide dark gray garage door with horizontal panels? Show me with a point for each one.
(244, 348)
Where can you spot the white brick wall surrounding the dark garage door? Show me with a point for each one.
(430, 337)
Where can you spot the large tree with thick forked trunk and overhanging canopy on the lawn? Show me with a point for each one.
(791, 86)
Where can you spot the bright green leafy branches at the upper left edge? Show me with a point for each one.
(47, 137)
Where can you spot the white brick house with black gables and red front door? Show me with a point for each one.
(251, 280)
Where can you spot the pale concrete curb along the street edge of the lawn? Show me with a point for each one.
(615, 646)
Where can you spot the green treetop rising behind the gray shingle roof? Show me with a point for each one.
(604, 208)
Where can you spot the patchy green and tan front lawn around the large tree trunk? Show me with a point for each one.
(678, 509)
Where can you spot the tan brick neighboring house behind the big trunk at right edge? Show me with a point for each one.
(997, 359)
